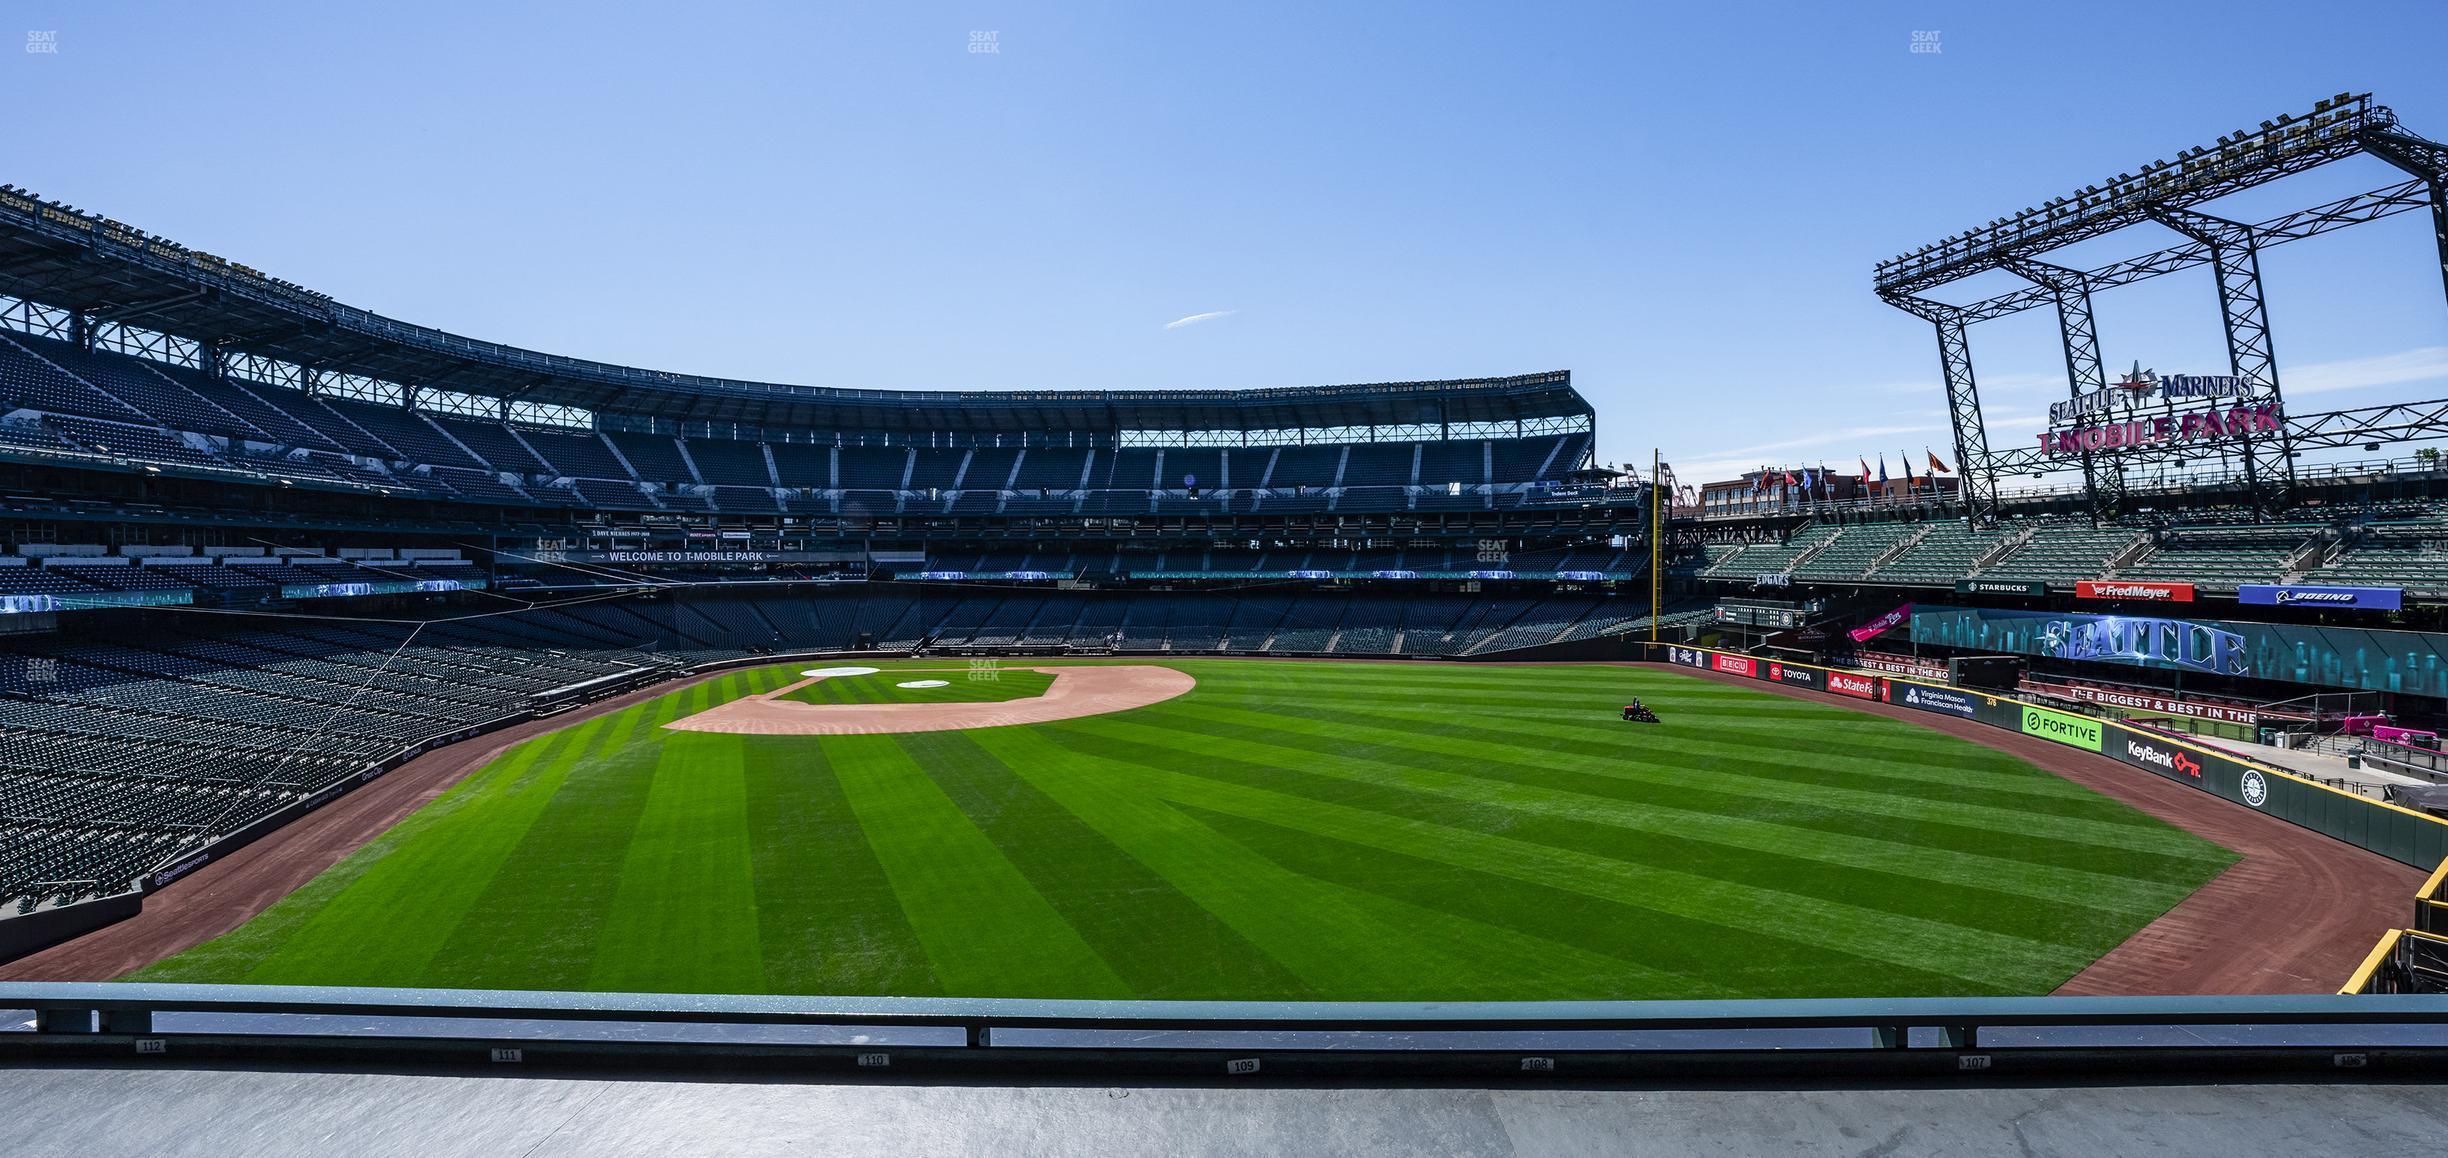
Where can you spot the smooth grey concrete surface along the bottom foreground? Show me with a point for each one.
(266, 1113)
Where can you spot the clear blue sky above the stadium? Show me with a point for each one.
(1678, 204)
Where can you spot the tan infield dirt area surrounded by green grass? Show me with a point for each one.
(1073, 694)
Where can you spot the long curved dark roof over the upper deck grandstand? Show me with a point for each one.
(104, 273)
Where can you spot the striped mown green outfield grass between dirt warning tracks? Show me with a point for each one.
(1284, 831)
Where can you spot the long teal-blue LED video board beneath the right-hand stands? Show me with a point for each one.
(2339, 657)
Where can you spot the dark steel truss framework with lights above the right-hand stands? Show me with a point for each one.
(2168, 195)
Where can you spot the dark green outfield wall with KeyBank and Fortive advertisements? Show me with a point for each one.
(2386, 829)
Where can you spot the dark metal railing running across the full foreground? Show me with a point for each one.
(1228, 1039)
